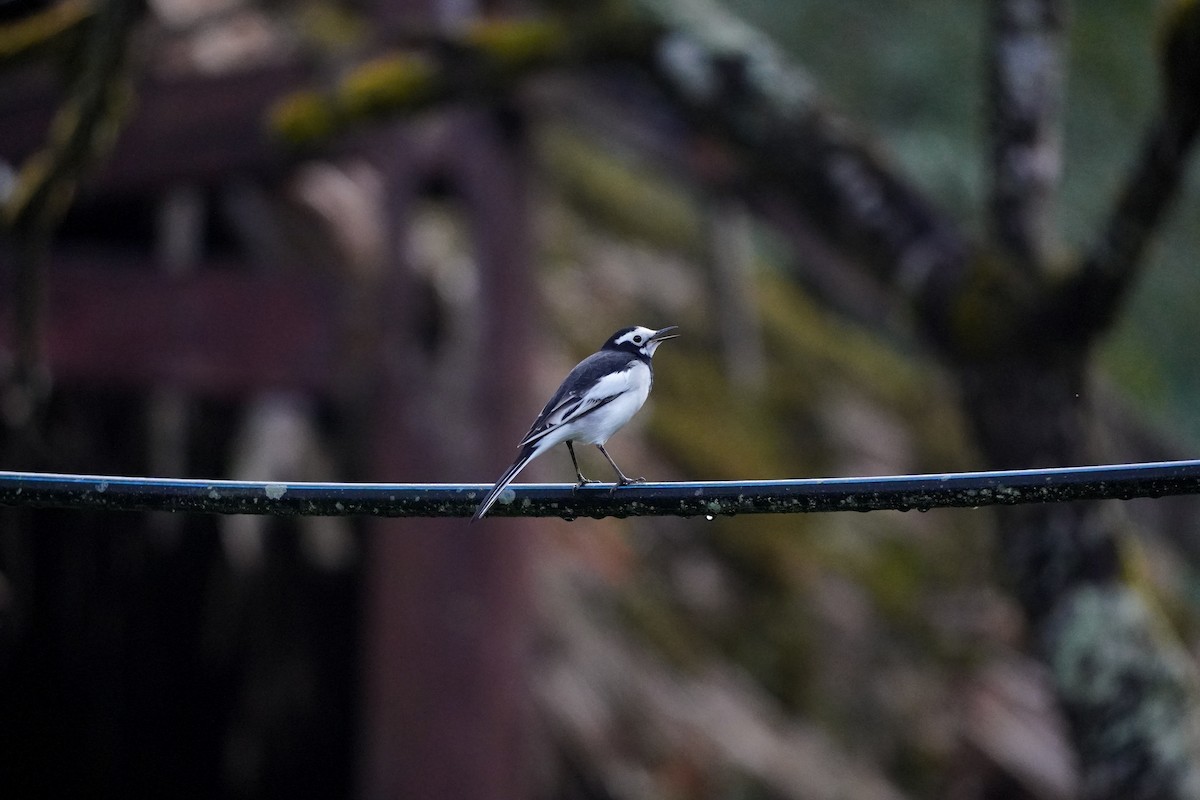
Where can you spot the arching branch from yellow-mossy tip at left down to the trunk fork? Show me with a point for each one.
(728, 79)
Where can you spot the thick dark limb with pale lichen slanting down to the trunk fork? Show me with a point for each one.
(733, 81)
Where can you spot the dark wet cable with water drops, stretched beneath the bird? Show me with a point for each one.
(685, 500)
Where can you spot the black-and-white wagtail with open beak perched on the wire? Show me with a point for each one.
(599, 396)
